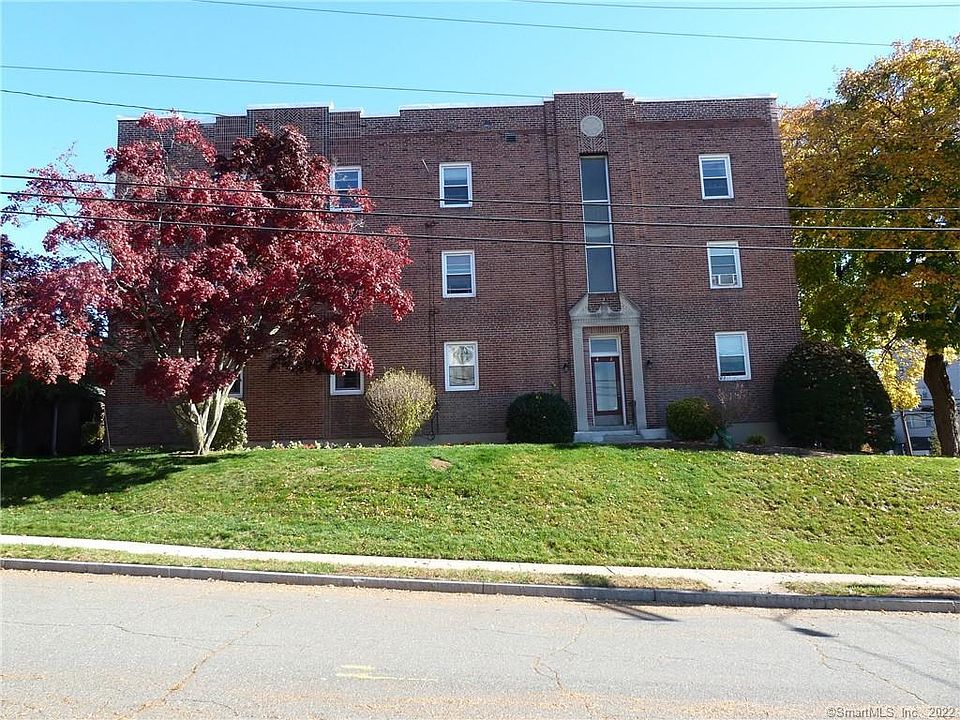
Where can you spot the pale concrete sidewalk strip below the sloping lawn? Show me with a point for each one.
(717, 580)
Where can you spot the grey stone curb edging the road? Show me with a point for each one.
(650, 596)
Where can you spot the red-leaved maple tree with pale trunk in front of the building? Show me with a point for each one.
(201, 265)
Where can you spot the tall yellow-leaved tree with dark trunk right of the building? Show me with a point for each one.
(890, 138)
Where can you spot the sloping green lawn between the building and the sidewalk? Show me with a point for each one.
(585, 504)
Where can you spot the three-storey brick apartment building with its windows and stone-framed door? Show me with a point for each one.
(621, 314)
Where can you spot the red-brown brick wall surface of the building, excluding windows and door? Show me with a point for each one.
(519, 317)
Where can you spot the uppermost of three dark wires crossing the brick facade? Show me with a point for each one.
(475, 200)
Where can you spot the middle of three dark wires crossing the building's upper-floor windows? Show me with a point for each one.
(487, 218)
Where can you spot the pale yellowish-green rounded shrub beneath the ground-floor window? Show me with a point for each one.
(400, 402)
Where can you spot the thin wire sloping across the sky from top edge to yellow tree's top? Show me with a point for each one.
(540, 26)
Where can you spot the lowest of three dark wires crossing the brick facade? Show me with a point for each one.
(504, 240)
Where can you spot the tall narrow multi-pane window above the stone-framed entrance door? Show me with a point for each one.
(597, 228)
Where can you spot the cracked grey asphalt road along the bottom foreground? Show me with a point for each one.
(87, 646)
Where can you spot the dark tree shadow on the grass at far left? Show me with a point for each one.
(25, 480)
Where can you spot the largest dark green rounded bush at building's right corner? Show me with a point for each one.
(828, 397)
